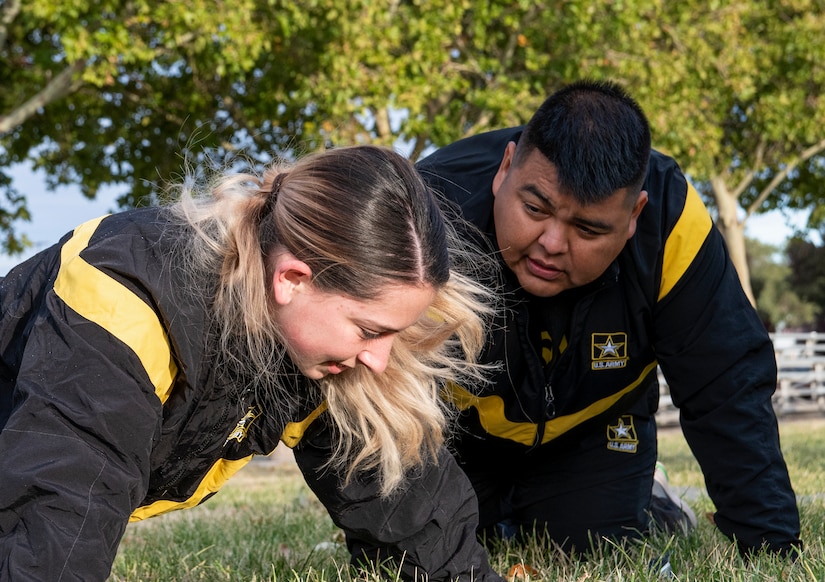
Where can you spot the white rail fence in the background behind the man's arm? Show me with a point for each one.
(800, 388)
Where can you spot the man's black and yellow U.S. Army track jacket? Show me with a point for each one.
(672, 298)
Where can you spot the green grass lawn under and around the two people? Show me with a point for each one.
(266, 526)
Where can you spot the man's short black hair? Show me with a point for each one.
(596, 136)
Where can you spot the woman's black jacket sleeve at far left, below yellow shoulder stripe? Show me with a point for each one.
(74, 453)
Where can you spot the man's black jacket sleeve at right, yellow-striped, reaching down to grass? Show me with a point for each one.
(719, 363)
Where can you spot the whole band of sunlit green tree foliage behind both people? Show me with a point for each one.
(120, 92)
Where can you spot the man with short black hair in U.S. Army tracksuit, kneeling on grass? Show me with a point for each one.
(613, 267)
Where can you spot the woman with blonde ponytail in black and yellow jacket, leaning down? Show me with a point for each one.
(148, 355)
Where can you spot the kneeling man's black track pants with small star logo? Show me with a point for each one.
(598, 484)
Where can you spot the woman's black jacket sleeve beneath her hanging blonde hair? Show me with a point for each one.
(427, 530)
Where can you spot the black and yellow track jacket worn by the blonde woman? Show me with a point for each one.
(112, 408)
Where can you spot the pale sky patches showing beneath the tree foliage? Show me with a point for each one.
(56, 213)
